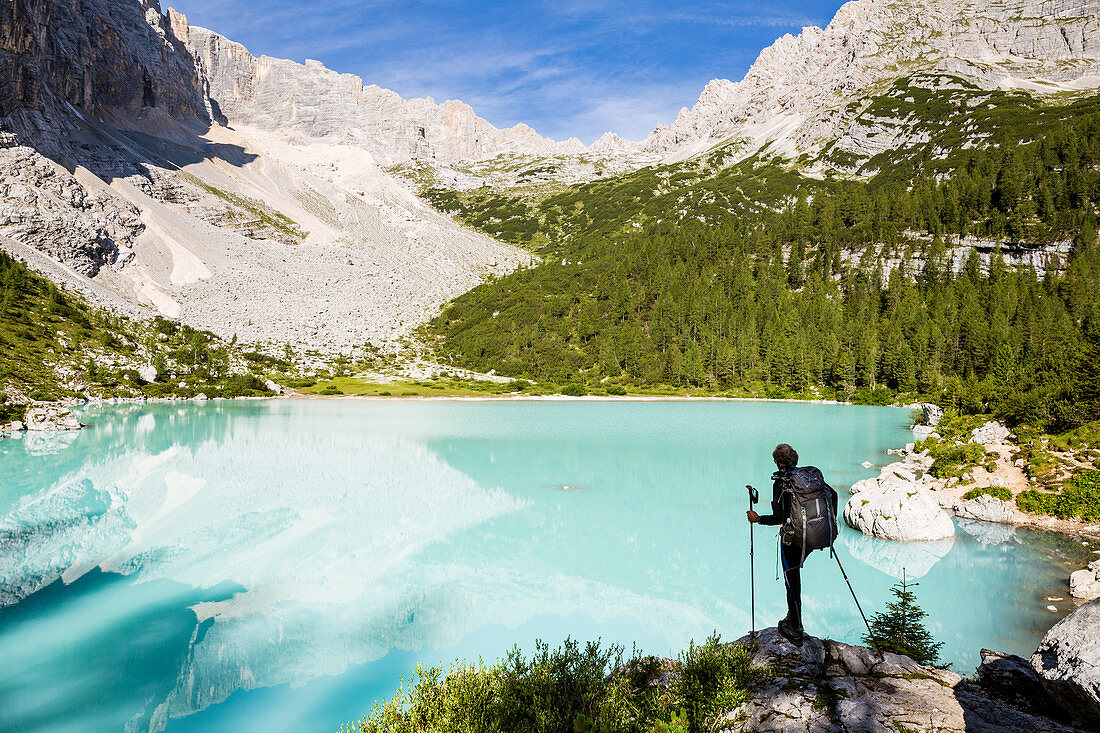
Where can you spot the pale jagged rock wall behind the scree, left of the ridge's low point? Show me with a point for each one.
(317, 103)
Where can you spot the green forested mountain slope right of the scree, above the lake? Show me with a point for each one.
(753, 278)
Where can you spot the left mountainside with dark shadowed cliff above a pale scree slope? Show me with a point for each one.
(115, 163)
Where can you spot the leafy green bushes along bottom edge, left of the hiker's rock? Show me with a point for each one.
(571, 690)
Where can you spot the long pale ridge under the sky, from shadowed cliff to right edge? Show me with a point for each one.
(802, 94)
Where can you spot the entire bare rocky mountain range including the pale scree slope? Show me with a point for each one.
(150, 158)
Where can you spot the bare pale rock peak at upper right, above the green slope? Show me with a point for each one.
(799, 94)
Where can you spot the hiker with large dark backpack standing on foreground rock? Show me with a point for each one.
(806, 508)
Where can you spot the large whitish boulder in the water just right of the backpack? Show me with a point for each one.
(896, 506)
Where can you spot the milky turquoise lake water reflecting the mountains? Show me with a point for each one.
(279, 565)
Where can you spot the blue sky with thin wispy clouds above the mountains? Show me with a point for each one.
(570, 68)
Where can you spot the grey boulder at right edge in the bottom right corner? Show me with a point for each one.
(1069, 662)
